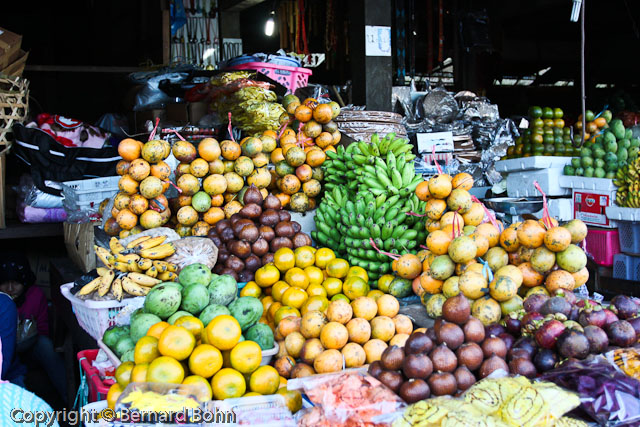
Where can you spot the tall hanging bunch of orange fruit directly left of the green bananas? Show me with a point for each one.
(308, 133)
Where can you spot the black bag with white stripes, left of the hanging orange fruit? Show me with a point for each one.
(50, 160)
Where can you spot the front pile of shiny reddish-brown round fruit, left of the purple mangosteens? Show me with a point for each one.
(446, 359)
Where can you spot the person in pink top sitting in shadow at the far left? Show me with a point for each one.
(17, 280)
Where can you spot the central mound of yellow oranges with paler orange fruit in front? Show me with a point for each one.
(323, 313)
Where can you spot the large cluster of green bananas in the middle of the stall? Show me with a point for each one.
(368, 215)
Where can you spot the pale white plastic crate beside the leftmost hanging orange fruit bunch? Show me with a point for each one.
(87, 194)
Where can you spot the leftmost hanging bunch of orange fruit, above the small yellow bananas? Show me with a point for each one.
(140, 204)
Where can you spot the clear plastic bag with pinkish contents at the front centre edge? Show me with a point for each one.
(347, 398)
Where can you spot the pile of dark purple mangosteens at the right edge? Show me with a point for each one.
(553, 328)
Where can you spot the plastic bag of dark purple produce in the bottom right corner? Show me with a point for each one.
(608, 396)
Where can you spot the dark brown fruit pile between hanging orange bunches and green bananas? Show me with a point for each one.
(248, 239)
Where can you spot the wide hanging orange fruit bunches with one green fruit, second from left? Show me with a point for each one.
(213, 177)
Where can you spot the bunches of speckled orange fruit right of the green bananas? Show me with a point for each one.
(492, 266)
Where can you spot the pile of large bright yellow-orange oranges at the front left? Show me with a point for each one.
(216, 359)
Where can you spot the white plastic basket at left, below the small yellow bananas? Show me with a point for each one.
(95, 317)
